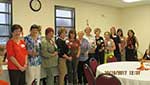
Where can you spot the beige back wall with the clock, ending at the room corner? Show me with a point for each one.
(98, 16)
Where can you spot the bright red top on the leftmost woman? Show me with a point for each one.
(18, 51)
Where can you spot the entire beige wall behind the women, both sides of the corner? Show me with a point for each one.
(137, 18)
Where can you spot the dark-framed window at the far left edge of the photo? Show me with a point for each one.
(5, 20)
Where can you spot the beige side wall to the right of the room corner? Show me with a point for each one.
(138, 18)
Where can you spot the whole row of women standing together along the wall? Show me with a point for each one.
(67, 55)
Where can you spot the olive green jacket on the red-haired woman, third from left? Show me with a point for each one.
(48, 47)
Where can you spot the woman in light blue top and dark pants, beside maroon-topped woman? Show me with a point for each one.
(83, 57)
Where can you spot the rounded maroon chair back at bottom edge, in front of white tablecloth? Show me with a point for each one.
(107, 79)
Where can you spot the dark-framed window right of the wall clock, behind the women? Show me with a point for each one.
(64, 17)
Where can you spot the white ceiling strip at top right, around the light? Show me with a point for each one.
(117, 3)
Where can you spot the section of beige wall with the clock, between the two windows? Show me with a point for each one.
(23, 15)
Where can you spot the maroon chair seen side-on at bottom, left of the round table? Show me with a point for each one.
(89, 75)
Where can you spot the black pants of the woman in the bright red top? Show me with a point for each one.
(17, 77)
